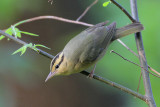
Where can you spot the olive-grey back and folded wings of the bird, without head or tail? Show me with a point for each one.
(91, 44)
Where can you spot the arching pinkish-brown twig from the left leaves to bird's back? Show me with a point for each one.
(52, 17)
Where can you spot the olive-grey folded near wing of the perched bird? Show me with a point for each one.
(99, 41)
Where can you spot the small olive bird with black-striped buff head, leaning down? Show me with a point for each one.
(85, 49)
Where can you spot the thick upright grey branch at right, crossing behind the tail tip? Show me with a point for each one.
(142, 58)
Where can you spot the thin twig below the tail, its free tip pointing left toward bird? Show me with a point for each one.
(133, 63)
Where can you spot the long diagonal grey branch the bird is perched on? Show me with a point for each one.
(106, 81)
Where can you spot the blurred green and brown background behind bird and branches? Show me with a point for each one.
(22, 77)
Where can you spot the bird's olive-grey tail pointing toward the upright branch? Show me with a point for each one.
(129, 29)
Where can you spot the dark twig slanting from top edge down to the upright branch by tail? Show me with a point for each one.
(124, 10)
